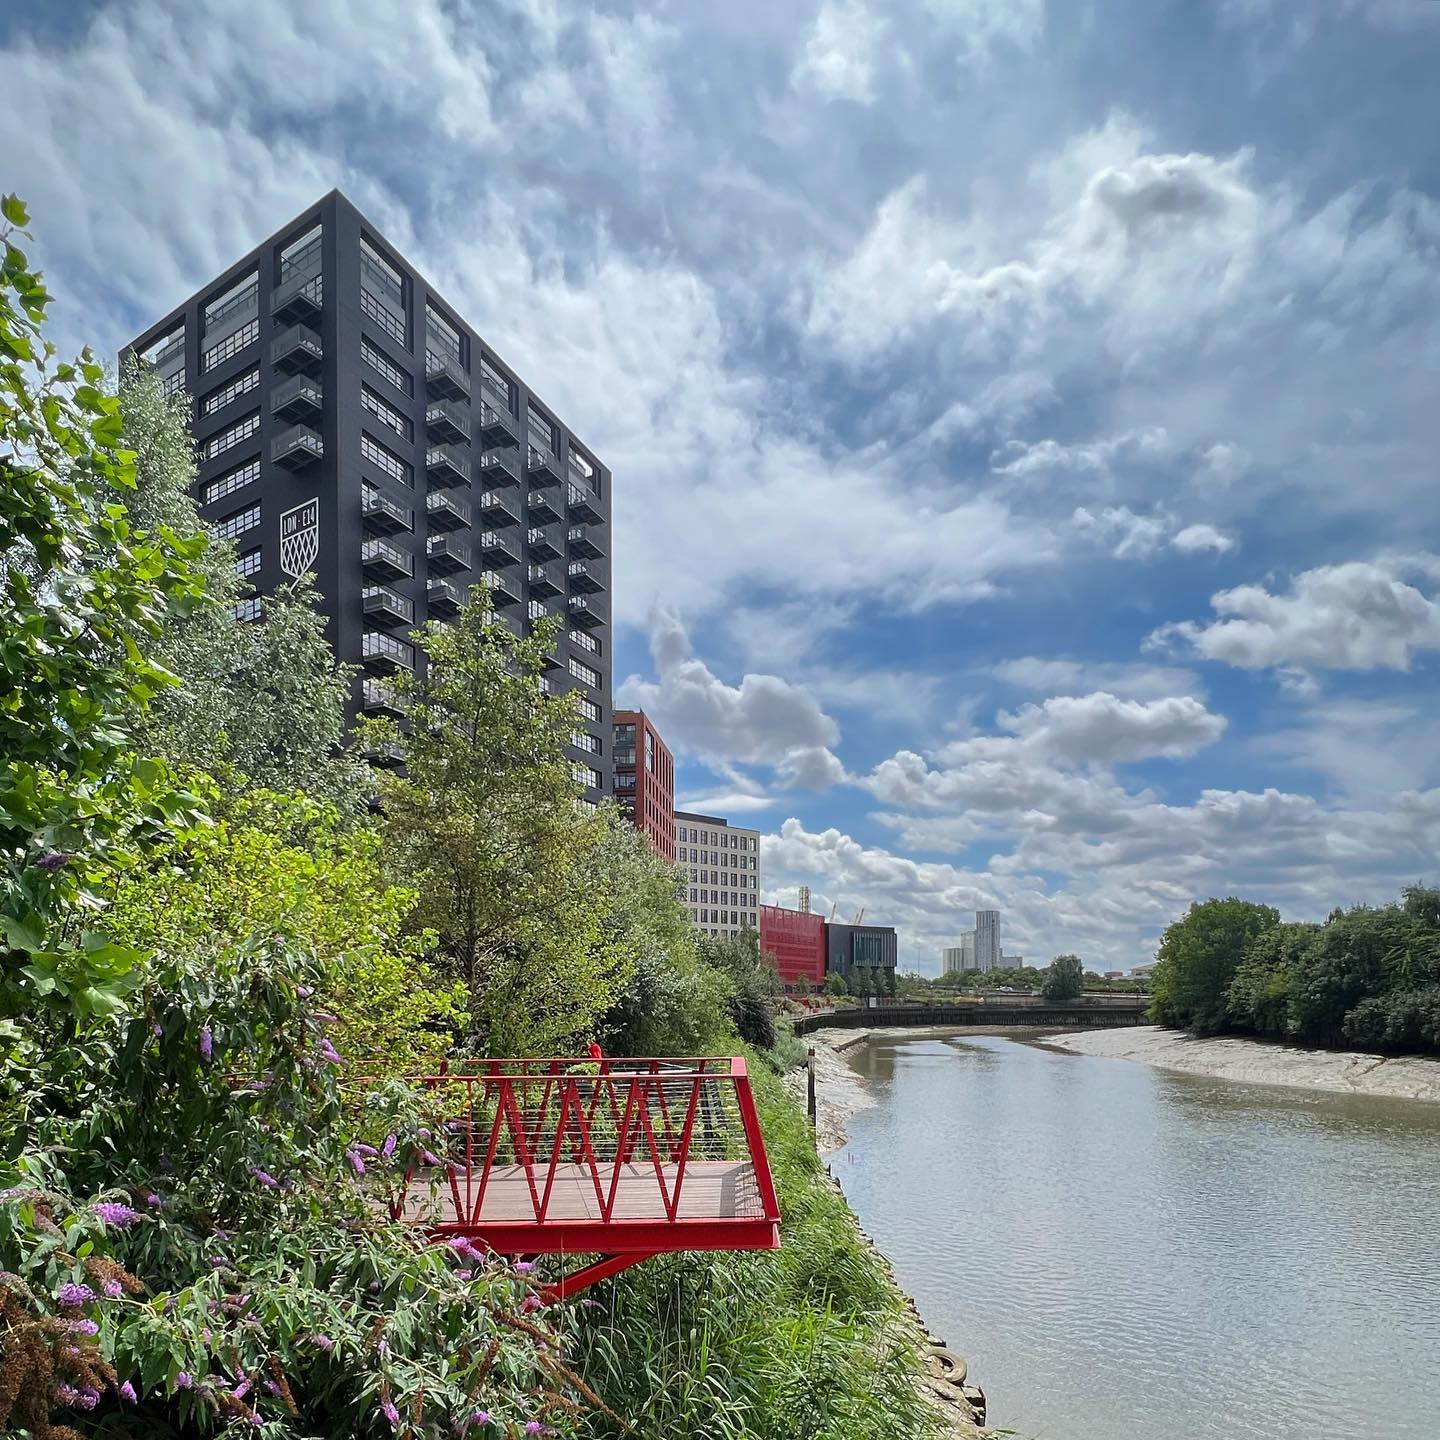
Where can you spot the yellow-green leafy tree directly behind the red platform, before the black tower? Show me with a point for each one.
(487, 827)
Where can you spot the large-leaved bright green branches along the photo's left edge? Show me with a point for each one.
(80, 591)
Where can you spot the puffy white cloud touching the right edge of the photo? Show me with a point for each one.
(1362, 616)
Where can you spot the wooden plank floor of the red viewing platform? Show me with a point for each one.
(711, 1190)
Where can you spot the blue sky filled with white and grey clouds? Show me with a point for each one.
(1025, 415)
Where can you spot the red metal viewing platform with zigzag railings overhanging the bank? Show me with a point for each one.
(617, 1160)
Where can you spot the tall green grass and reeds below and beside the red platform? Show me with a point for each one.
(807, 1341)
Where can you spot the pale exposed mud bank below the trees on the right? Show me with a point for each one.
(1262, 1062)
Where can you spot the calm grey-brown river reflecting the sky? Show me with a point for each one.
(1130, 1255)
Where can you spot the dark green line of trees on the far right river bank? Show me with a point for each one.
(1367, 977)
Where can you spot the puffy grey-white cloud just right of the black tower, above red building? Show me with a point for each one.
(764, 721)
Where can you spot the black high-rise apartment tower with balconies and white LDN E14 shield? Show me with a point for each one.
(351, 424)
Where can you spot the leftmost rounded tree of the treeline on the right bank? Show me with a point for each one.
(1199, 957)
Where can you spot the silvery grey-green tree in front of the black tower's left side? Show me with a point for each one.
(264, 701)
